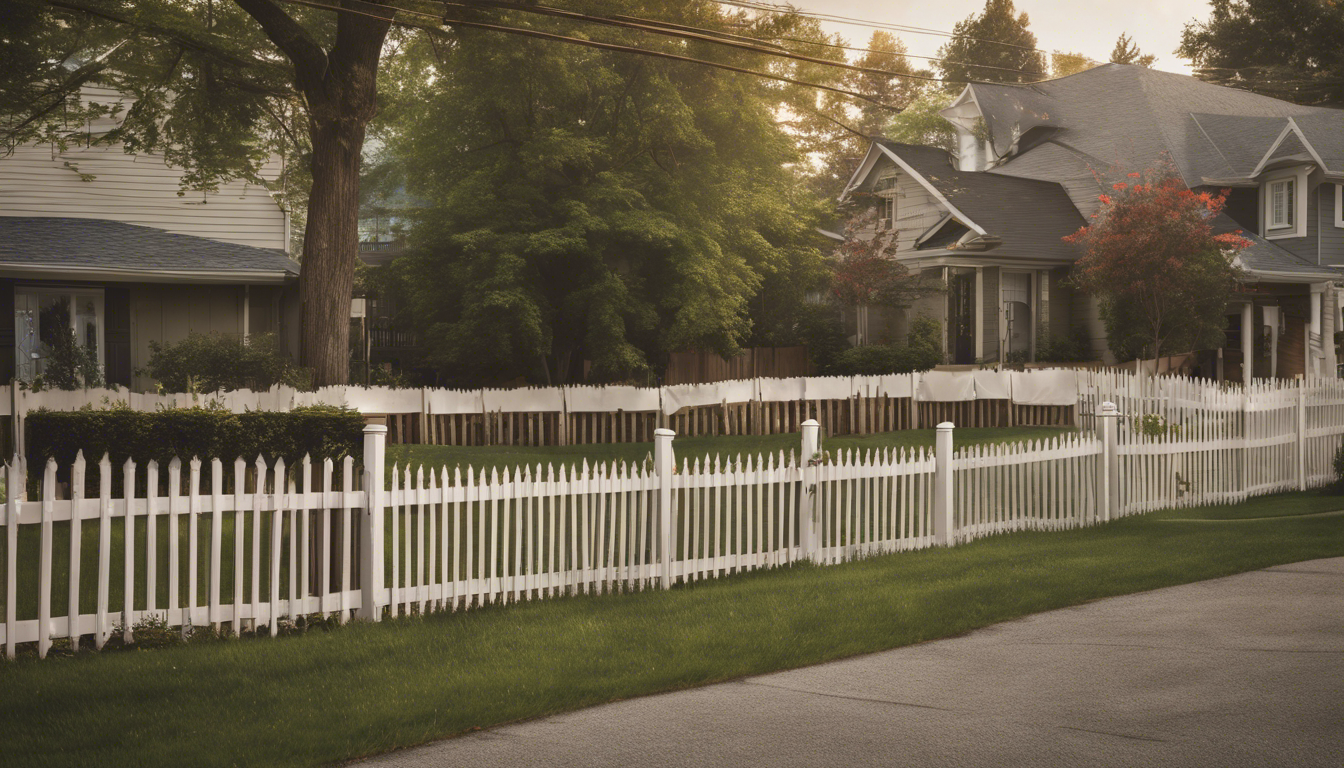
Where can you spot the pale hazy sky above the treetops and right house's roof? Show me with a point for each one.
(1083, 26)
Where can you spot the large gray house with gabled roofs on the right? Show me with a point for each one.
(1032, 165)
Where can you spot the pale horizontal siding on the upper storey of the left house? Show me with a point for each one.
(138, 190)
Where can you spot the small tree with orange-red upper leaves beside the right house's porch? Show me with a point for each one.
(1163, 276)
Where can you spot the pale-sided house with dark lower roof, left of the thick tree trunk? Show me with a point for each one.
(108, 243)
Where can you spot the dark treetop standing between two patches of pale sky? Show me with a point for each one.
(979, 42)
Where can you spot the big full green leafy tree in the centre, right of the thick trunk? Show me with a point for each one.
(591, 206)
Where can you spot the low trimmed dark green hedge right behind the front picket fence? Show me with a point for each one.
(321, 432)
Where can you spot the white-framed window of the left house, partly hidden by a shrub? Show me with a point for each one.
(38, 317)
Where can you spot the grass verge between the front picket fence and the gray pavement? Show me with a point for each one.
(322, 697)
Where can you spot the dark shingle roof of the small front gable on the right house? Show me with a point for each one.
(1032, 217)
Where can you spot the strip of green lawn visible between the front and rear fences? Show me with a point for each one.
(693, 449)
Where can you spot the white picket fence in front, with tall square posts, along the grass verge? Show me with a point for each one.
(265, 544)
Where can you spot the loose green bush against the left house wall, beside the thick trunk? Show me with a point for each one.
(216, 362)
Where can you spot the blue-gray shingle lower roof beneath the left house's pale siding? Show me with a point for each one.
(107, 245)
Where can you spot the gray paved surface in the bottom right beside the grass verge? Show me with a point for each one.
(1247, 670)
